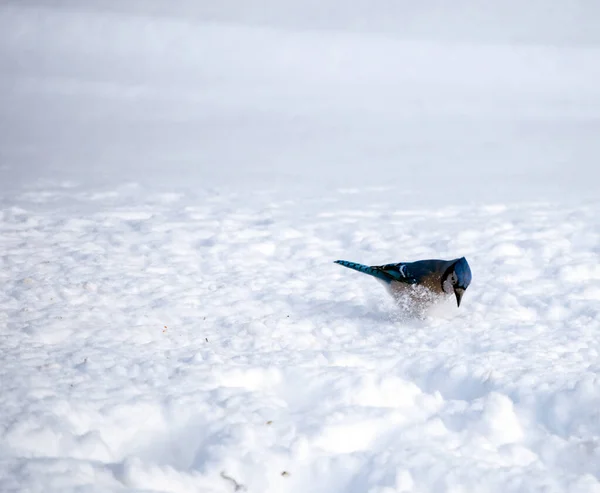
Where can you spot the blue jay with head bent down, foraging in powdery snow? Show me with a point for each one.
(423, 280)
